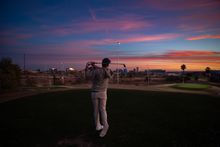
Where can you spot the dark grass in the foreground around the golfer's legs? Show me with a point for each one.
(136, 118)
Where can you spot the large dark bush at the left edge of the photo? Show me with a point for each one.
(9, 74)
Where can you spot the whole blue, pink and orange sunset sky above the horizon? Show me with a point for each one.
(155, 34)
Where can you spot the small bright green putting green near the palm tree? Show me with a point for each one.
(192, 86)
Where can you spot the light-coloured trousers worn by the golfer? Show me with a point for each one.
(99, 105)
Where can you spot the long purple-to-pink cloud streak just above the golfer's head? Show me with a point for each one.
(88, 48)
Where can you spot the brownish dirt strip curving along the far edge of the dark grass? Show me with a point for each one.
(7, 96)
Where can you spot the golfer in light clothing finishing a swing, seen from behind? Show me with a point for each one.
(100, 77)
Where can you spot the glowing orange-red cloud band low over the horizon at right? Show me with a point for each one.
(194, 59)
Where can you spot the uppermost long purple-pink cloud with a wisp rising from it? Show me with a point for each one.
(98, 25)
